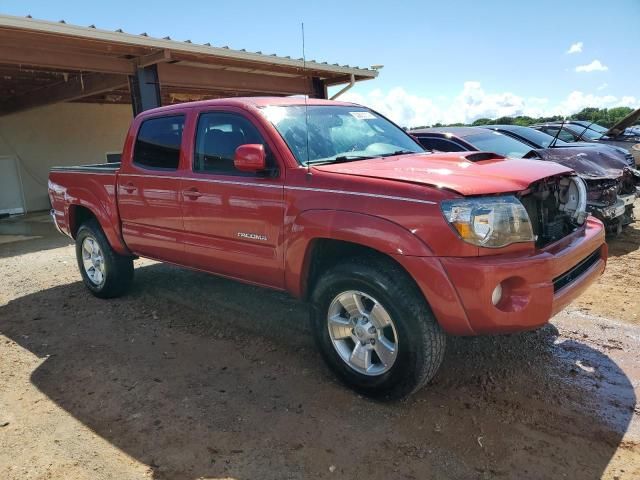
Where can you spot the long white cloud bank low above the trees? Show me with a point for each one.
(473, 102)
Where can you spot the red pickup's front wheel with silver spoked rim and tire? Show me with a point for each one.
(375, 329)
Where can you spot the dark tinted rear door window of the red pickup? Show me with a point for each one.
(158, 143)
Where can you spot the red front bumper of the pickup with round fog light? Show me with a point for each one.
(535, 285)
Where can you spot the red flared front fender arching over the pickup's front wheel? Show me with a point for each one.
(376, 233)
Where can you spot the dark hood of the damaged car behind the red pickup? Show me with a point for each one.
(589, 163)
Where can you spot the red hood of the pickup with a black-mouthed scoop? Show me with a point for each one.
(467, 173)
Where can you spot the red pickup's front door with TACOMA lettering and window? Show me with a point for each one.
(233, 220)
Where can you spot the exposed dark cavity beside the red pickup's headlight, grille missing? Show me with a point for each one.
(557, 206)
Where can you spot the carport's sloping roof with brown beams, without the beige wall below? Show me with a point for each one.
(47, 62)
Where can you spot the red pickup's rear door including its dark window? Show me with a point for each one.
(148, 190)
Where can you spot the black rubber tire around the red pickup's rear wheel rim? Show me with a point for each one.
(118, 269)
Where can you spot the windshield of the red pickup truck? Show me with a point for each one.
(338, 133)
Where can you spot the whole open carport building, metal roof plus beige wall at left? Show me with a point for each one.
(56, 77)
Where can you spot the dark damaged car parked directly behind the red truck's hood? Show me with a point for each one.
(611, 187)
